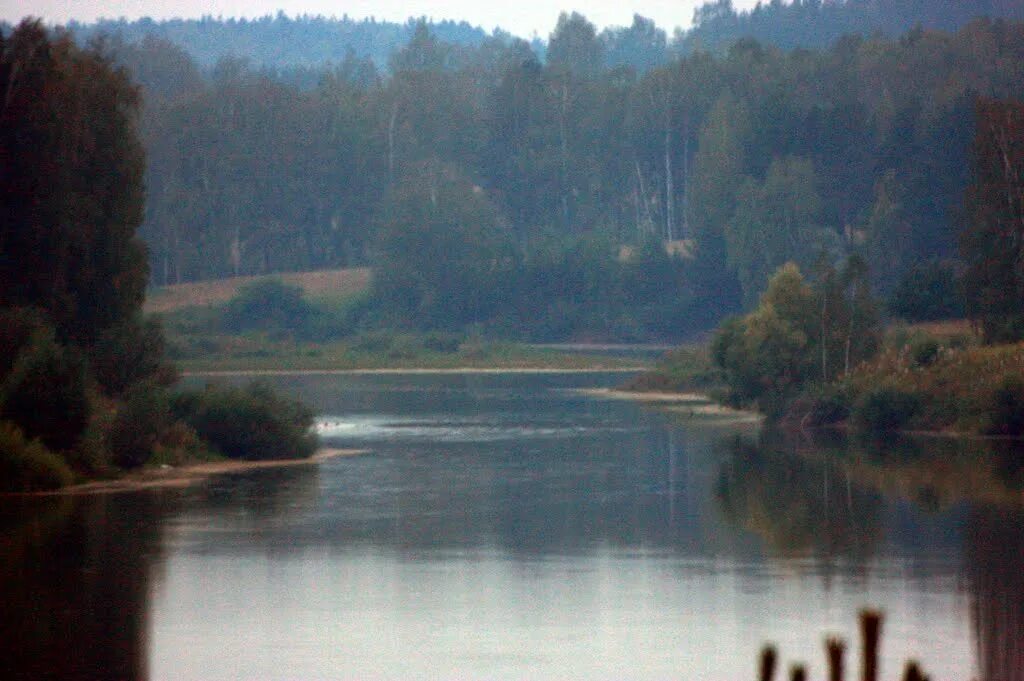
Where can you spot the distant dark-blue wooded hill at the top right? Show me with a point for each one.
(813, 24)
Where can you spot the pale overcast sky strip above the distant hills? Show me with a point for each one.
(523, 18)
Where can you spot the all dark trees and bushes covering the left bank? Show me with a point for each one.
(87, 390)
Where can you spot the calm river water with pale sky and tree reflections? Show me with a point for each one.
(505, 527)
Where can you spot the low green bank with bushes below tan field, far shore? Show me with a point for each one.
(273, 326)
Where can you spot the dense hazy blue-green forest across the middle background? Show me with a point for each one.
(741, 162)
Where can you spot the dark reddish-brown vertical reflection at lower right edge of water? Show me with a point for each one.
(995, 567)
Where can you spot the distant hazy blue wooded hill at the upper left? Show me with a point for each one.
(280, 40)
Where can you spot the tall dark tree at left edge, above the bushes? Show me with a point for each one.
(71, 185)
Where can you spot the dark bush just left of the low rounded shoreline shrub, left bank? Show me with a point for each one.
(139, 425)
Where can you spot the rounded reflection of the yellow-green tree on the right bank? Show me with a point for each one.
(798, 506)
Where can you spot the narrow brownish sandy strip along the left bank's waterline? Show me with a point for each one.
(184, 477)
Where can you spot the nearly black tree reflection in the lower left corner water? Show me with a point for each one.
(75, 576)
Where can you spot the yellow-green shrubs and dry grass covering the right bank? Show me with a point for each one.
(936, 378)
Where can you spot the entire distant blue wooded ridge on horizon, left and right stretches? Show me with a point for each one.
(303, 45)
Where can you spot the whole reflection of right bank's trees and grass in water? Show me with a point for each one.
(828, 496)
